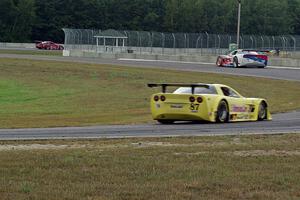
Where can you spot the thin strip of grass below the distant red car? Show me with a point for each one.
(32, 52)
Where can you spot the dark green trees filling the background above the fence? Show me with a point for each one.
(29, 20)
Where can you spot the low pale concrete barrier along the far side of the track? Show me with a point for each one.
(187, 55)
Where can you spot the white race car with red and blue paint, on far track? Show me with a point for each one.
(243, 58)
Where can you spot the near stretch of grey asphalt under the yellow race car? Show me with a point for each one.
(282, 123)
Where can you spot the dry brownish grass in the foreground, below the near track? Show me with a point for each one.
(224, 167)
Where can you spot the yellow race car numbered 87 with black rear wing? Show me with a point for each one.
(205, 102)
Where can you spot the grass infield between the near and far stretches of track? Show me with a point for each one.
(51, 94)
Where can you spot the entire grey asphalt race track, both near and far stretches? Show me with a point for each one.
(282, 123)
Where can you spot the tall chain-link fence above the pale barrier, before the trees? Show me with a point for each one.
(176, 43)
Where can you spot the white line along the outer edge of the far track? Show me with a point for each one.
(201, 63)
